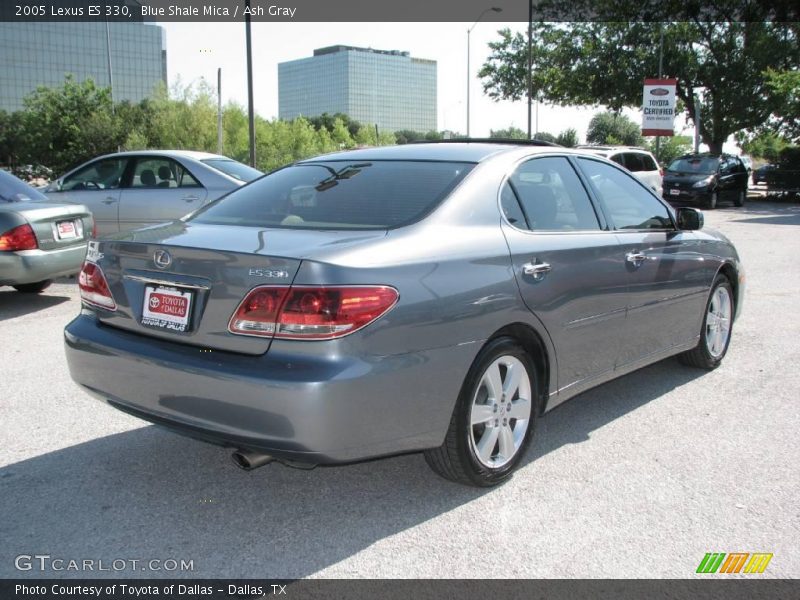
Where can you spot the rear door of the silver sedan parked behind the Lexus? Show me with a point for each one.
(160, 189)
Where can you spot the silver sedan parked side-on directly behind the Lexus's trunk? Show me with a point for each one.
(134, 189)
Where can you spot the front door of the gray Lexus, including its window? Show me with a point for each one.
(667, 277)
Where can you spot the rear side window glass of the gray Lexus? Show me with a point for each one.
(551, 197)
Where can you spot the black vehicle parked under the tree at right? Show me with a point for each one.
(706, 179)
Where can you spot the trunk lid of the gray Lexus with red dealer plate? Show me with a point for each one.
(211, 268)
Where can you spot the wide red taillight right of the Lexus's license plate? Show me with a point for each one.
(310, 312)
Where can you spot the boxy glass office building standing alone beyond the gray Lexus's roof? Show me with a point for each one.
(384, 87)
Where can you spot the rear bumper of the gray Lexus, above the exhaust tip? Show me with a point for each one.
(313, 409)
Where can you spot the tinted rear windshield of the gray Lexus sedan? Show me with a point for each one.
(339, 195)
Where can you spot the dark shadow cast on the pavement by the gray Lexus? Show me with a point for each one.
(149, 494)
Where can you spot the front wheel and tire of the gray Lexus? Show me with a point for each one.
(715, 336)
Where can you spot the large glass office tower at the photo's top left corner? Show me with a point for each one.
(36, 54)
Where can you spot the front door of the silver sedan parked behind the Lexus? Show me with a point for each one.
(96, 185)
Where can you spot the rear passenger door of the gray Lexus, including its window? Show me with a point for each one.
(571, 273)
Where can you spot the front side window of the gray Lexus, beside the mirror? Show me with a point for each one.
(630, 204)
